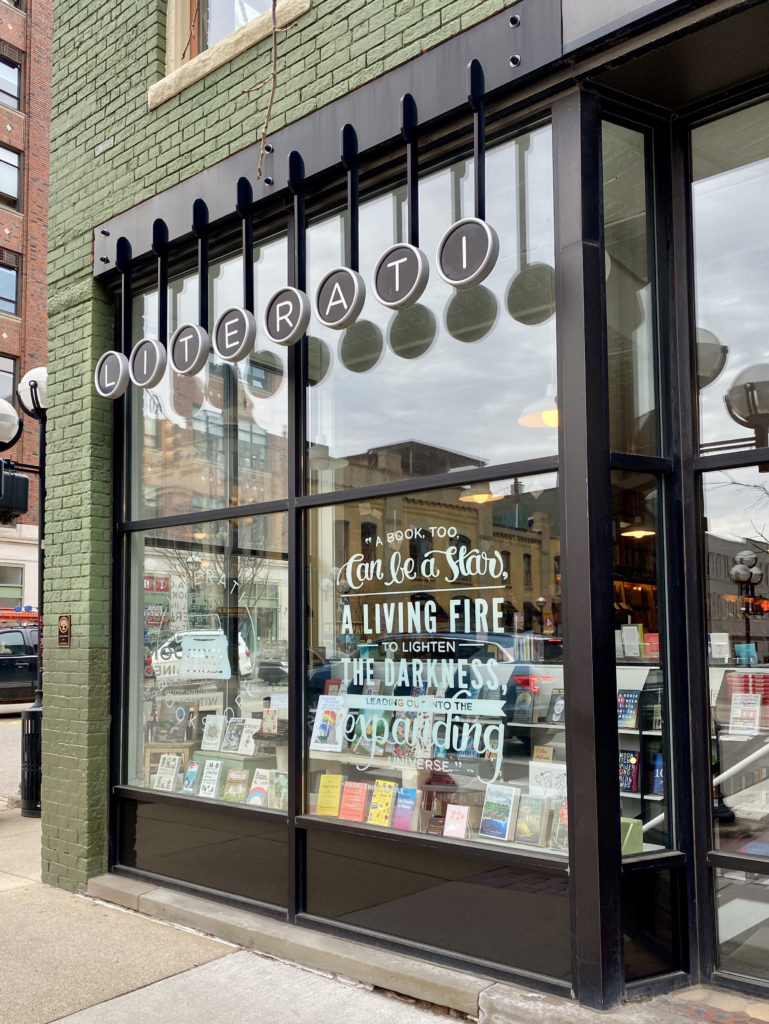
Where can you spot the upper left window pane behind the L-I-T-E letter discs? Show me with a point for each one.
(219, 439)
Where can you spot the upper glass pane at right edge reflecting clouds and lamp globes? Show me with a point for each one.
(731, 162)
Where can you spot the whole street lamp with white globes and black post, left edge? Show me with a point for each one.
(33, 398)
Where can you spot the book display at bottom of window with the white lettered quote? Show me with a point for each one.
(460, 777)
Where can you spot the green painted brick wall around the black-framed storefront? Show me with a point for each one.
(105, 59)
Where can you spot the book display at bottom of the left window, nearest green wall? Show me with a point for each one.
(233, 760)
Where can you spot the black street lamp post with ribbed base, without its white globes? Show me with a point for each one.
(32, 718)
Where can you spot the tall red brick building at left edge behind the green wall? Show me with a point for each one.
(25, 117)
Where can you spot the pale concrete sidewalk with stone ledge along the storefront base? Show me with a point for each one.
(83, 961)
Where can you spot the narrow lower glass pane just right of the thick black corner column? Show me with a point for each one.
(642, 691)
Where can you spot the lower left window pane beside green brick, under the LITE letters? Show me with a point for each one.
(209, 662)
